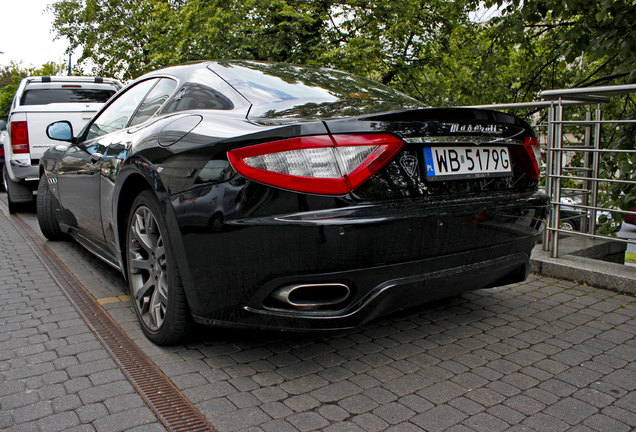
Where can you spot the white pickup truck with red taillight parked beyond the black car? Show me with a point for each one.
(38, 102)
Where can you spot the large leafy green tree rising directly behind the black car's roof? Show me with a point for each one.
(389, 41)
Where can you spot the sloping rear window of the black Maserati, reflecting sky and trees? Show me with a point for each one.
(277, 90)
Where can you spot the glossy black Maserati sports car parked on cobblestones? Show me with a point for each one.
(244, 193)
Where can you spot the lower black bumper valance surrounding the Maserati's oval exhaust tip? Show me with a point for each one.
(393, 288)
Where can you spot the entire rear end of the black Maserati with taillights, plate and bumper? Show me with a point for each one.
(374, 214)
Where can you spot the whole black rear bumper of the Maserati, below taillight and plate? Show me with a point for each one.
(392, 256)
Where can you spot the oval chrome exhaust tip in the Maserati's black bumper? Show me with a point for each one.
(312, 296)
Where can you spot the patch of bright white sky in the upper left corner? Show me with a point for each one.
(25, 34)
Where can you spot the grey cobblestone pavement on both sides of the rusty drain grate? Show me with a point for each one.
(543, 355)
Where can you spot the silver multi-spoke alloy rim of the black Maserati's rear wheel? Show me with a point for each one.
(147, 268)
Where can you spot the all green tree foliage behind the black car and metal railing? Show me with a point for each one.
(430, 49)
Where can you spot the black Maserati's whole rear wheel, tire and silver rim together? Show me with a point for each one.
(153, 277)
